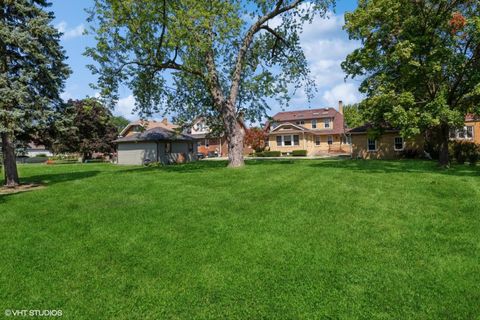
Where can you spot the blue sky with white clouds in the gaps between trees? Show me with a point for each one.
(324, 42)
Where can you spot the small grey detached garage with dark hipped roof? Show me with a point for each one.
(156, 145)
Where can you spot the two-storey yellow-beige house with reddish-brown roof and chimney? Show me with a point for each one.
(318, 131)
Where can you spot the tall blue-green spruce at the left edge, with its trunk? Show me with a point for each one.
(32, 72)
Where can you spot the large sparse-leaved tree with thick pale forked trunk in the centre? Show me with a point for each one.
(201, 57)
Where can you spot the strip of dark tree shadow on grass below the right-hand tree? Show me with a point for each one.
(398, 166)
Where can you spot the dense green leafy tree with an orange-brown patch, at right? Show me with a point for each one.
(419, 62)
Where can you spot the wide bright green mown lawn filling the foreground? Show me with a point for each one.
(276, 239)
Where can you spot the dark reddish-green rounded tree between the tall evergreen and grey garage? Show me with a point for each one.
(91, 129)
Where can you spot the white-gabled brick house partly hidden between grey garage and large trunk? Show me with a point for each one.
(207, 144)
